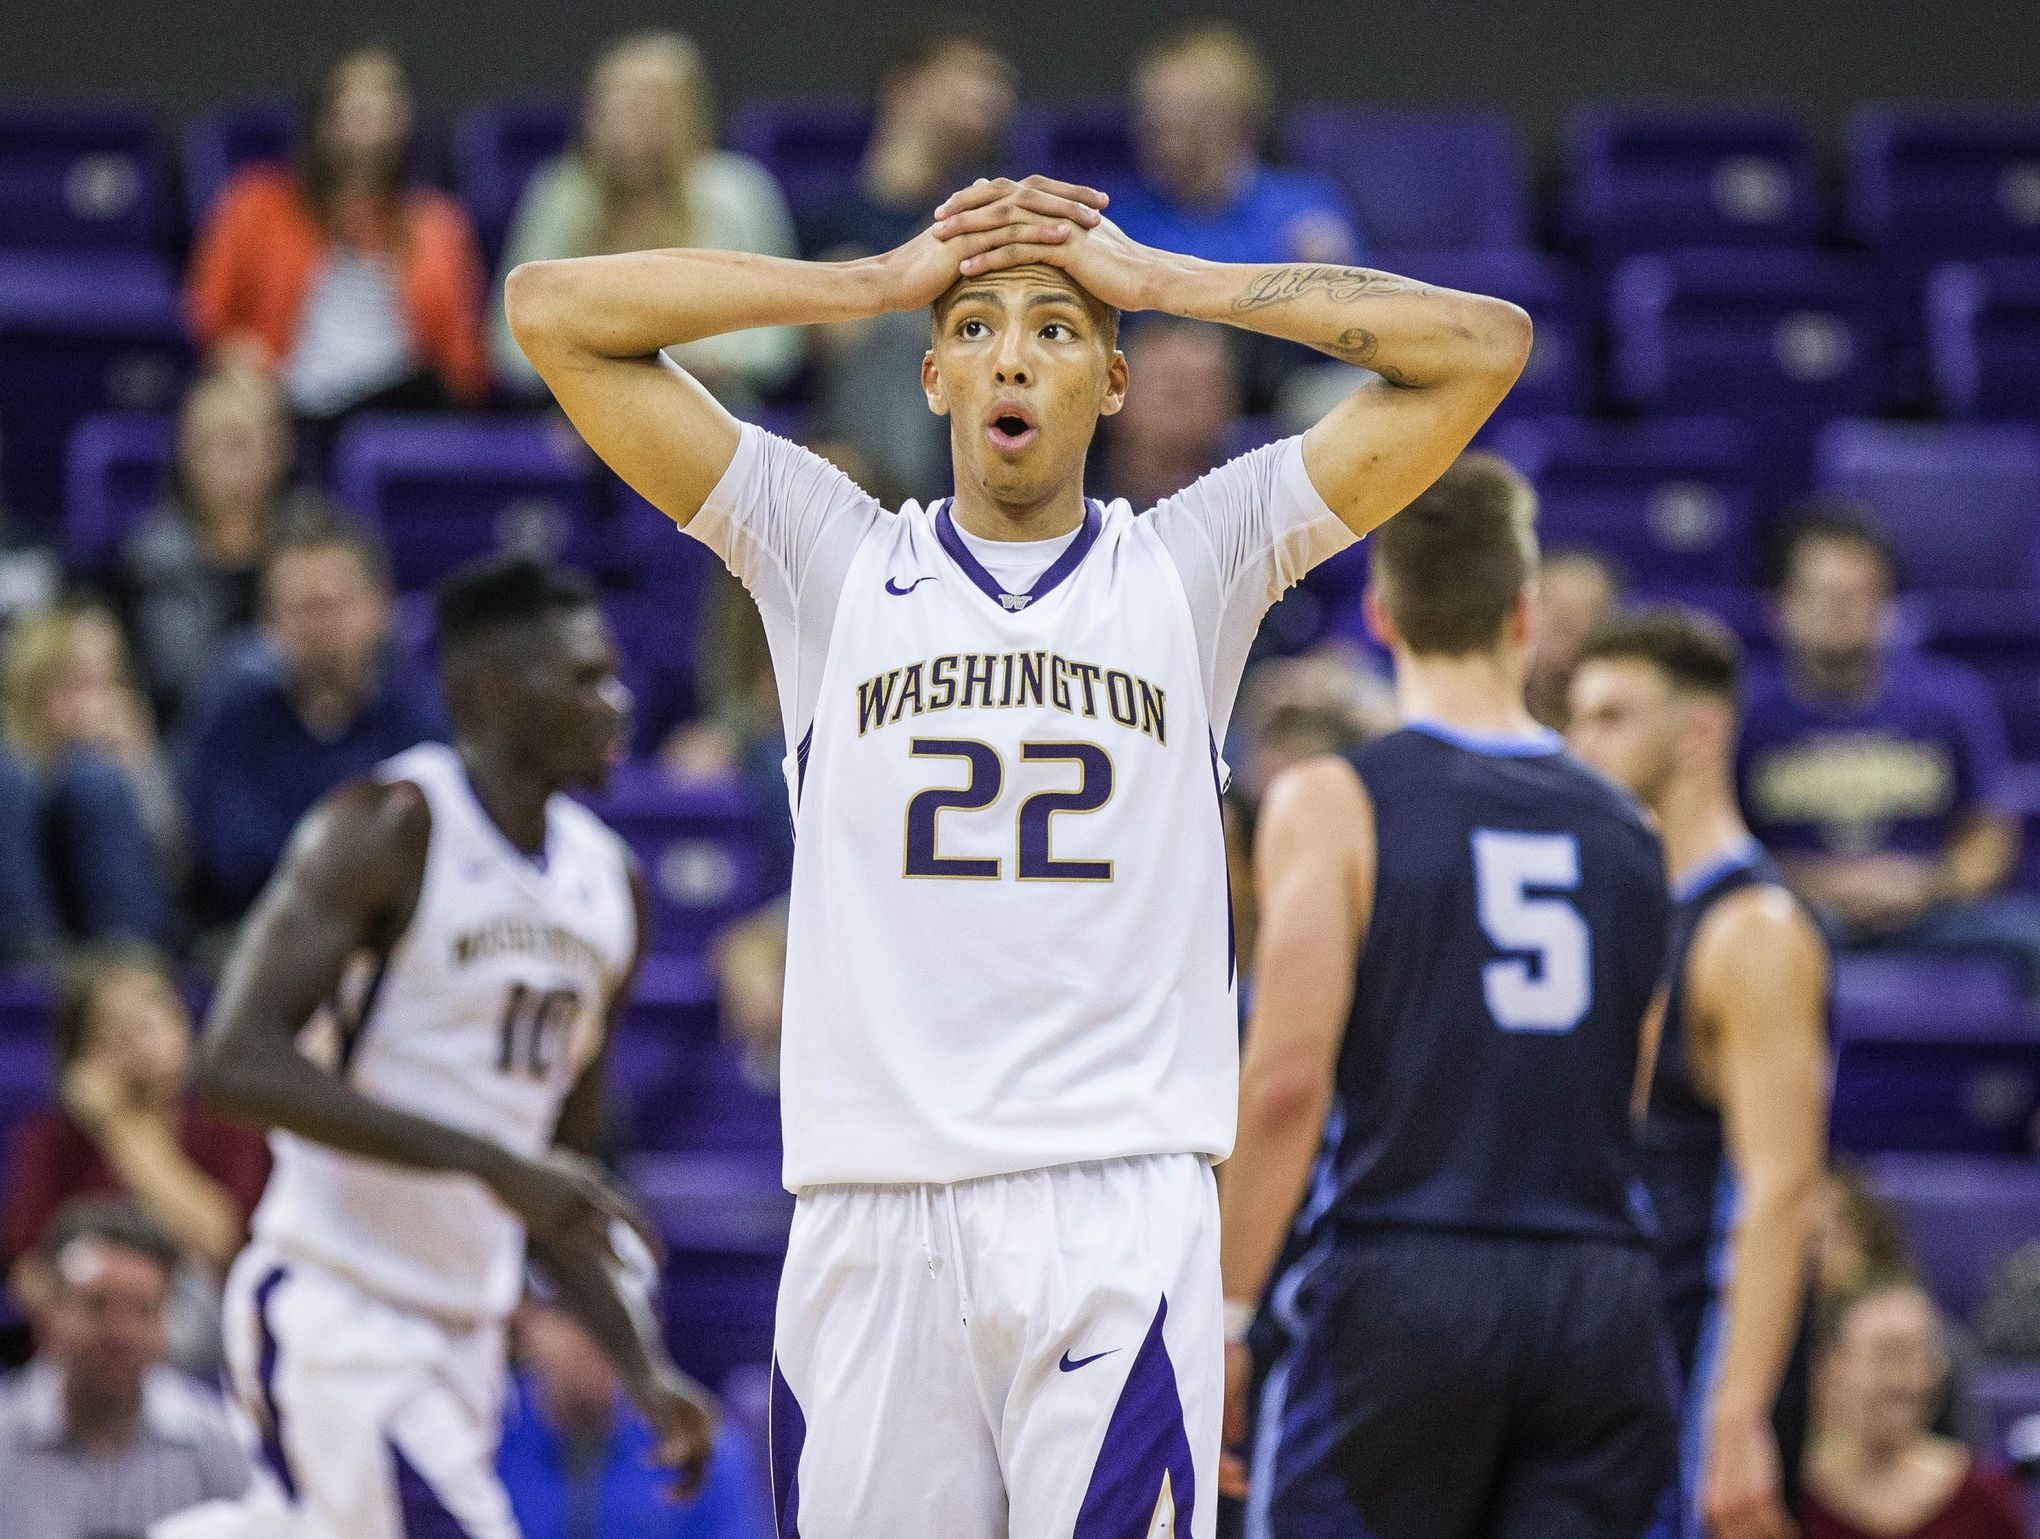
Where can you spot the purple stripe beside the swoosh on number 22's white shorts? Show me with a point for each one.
(1145, 1452)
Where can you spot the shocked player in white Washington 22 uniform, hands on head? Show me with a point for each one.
(1011, 1038)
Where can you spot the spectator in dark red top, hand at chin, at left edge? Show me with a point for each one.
(130, 1126)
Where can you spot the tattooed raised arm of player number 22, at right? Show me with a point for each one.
(1445, 358)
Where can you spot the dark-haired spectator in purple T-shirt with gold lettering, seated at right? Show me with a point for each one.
(1874, 773)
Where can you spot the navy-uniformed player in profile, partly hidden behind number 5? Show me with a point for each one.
(1737, 1130)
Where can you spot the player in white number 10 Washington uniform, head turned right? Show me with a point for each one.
(419, 1009)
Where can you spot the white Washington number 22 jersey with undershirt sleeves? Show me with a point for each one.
(1011, 934)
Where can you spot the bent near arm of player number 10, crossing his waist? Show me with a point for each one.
(348, 885)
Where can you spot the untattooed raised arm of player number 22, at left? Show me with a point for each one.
(595, 328)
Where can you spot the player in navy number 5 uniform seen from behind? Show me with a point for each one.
(1462, 938)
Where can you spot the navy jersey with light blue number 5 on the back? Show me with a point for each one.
(1519, 934)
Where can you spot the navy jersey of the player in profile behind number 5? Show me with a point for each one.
(1686, 1164)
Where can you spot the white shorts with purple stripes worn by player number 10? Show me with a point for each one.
(368, 1422)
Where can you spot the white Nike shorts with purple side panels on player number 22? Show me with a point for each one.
(1035, 1354)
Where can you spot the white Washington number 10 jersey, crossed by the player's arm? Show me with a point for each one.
(482, 1017)
